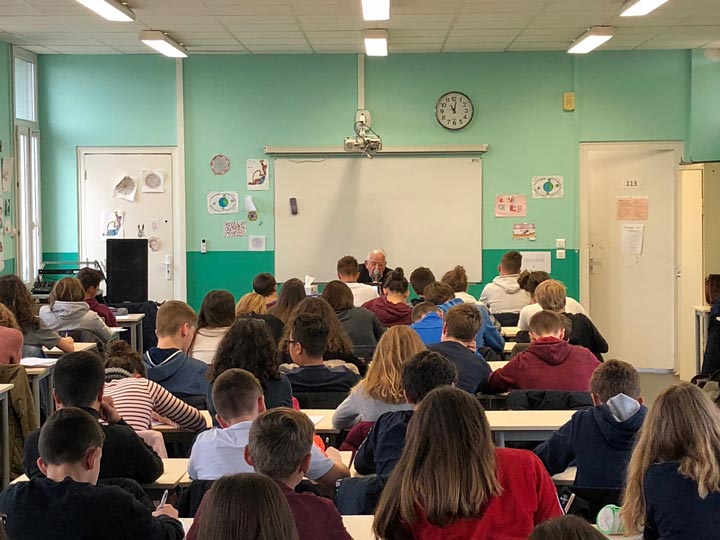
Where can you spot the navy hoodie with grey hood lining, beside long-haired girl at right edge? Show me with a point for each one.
(597, 442)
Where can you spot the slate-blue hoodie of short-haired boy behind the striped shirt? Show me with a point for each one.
(178, 373)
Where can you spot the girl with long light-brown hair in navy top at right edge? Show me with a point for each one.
(672, 490)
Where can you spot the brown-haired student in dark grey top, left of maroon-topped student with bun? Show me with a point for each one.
(361, 325)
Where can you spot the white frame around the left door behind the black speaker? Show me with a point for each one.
(178, 203)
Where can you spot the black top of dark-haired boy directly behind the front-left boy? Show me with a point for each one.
(125, 455)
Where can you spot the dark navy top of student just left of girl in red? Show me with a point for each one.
(384, 445)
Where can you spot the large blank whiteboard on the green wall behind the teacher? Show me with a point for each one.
(423, 211)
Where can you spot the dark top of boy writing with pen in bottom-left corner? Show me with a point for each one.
(42, 509)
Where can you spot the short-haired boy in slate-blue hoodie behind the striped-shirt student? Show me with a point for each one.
(168, 364)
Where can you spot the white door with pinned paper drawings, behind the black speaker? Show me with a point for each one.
(148, 215)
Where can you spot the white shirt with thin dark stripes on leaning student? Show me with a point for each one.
(136, 399)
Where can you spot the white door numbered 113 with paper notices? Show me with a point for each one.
(631, 296)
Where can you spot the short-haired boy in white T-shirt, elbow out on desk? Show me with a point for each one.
(238, 397)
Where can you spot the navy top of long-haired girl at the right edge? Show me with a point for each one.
(674, 509)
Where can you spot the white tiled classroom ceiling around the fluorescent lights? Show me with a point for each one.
(335, 26)
